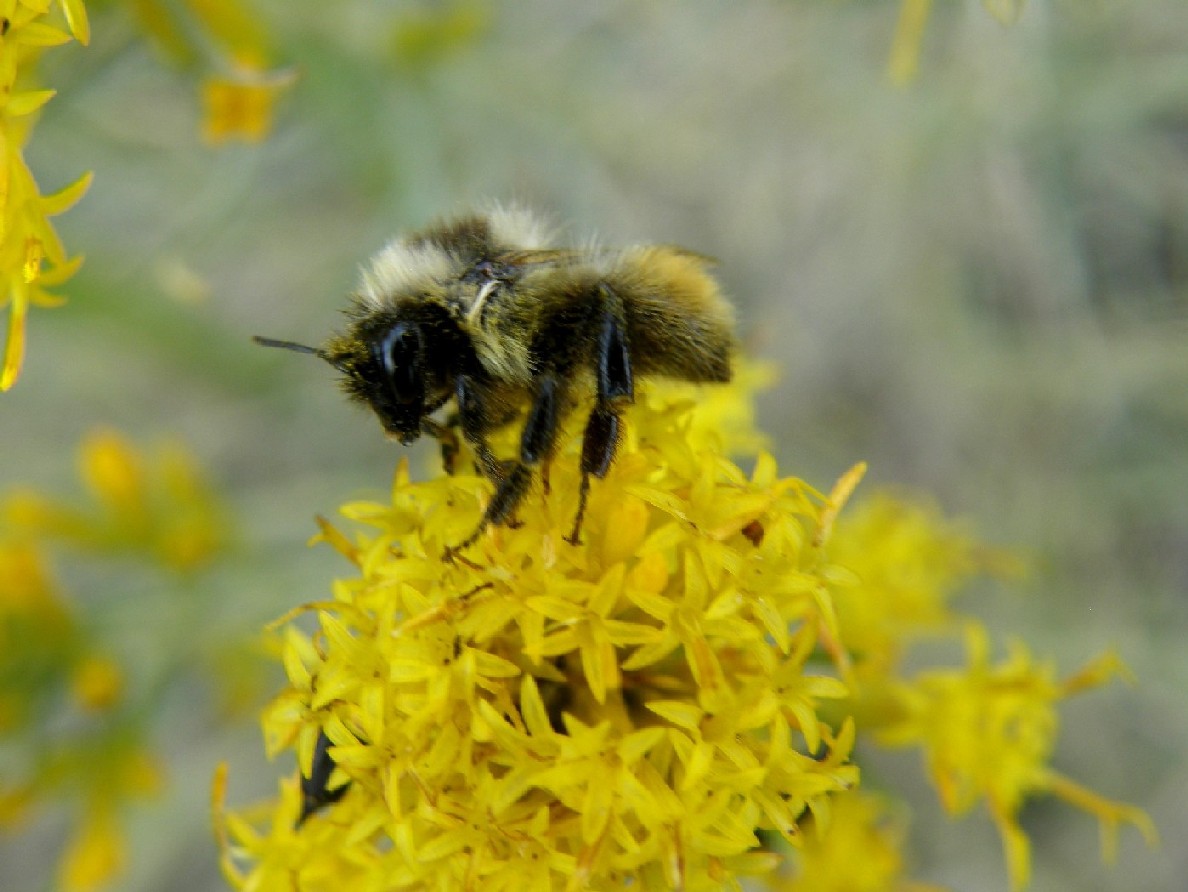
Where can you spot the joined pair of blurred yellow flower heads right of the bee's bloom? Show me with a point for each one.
(987, 731)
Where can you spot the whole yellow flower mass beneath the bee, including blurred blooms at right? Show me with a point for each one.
(656, 707)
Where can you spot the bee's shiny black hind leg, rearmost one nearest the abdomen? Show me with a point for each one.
(616, 389)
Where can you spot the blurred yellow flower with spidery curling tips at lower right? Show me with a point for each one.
(988, 733)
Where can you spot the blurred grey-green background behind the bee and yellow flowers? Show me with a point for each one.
(975, 279)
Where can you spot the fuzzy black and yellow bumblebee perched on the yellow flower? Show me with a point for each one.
(482, 313)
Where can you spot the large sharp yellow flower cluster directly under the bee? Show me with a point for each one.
(541, 716)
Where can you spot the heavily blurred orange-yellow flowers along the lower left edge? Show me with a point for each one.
(66, 716)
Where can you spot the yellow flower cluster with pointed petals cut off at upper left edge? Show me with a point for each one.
(33, 258)
